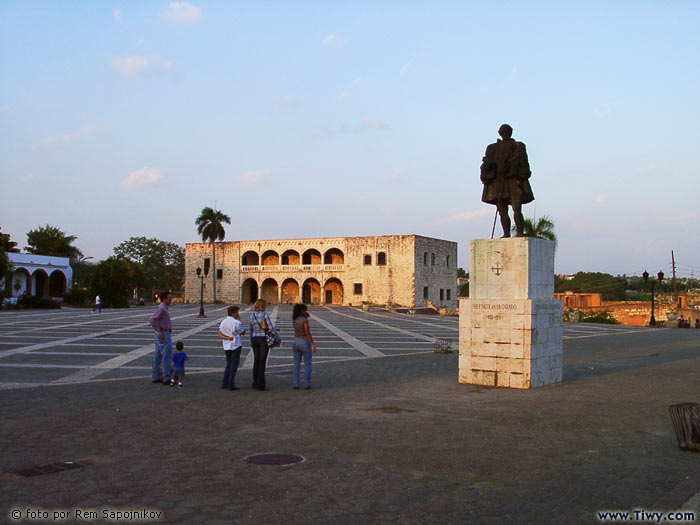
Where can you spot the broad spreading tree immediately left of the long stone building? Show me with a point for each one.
(163, 262)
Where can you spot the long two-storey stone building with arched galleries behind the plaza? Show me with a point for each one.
(402, 270)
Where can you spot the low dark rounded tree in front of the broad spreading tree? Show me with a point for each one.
(114, 279)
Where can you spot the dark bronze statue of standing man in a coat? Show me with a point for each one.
(505, 172)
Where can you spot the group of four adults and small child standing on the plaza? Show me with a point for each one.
(262, 337)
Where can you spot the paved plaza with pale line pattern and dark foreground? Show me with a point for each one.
(387, 433)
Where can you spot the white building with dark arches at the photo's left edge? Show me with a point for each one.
(39, 275)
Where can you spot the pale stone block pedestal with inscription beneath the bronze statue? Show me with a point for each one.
(510, 327)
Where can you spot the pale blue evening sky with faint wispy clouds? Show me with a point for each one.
(307, 119)
